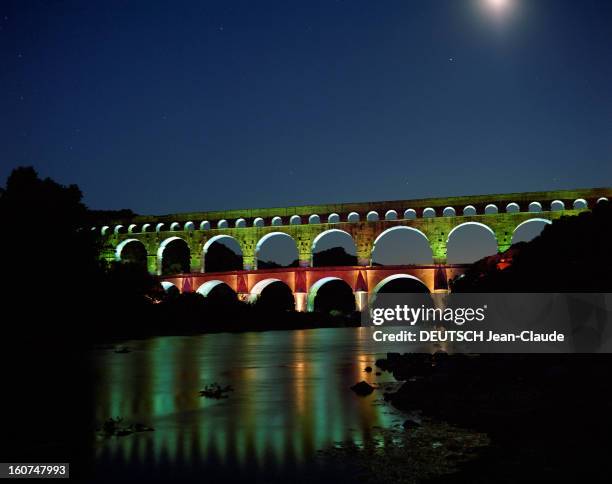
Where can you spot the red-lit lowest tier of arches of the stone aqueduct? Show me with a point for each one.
(305, 282)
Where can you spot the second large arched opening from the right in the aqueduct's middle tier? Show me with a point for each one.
(469, 242)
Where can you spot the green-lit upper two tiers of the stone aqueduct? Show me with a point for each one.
(436, 230)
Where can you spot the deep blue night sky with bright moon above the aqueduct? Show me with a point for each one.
(184, 106)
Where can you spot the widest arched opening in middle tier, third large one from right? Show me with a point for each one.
(401, 245)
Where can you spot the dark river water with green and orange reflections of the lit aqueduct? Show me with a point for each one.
(291, 398)
